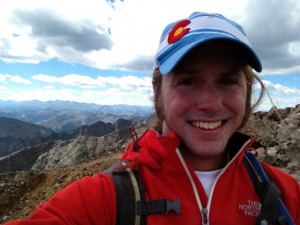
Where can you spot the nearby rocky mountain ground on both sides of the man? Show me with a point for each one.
(62, 162)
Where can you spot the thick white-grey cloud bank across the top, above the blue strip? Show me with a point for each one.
(93, 33)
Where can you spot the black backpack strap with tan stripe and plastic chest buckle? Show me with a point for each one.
(132, 208)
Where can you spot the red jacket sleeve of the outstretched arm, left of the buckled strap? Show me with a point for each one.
(90, 200)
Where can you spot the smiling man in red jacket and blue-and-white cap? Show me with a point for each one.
(202, 84)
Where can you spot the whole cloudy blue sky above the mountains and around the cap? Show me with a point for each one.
(102, 51)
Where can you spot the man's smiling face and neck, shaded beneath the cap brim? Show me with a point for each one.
(203, 101)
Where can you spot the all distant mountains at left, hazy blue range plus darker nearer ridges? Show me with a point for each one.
(25, 124)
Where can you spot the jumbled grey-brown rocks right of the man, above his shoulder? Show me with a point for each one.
(278, 138)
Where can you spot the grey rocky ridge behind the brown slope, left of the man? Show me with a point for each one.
(64, 153)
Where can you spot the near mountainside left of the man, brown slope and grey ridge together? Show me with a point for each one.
(21, 191)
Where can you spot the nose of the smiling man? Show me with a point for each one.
(209, 98)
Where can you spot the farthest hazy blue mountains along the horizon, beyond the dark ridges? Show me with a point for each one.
(67, 116)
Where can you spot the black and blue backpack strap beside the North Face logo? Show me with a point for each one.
(272, 210)
